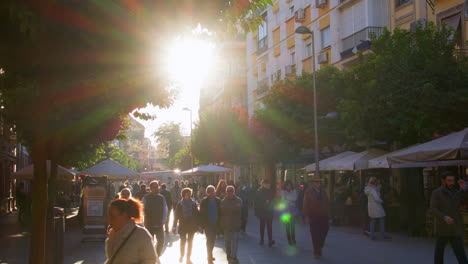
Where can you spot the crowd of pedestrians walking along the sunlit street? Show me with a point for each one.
(222, 211)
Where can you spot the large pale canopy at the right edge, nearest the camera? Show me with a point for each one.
(450, 150)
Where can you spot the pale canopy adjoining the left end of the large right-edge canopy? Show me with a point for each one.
(356, 161)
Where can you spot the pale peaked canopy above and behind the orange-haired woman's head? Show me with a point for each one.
(113, 170)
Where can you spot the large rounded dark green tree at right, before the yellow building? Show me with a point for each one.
(410, 86)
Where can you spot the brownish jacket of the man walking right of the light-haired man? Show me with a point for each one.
(231, 214)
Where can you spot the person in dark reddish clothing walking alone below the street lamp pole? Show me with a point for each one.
(316, 206)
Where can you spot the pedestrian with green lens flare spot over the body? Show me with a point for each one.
(289, 196)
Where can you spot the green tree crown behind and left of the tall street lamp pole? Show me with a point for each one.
(287, 109)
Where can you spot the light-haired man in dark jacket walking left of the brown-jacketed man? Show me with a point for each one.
(210, 216)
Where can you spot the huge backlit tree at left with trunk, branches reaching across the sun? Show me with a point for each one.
(75, 69)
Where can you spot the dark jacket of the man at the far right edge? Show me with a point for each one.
(443, 204)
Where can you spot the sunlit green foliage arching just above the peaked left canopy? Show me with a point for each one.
(106, 151)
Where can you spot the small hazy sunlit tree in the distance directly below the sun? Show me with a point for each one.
(170, 140)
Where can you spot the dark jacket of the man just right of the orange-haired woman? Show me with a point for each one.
(155, 209)
